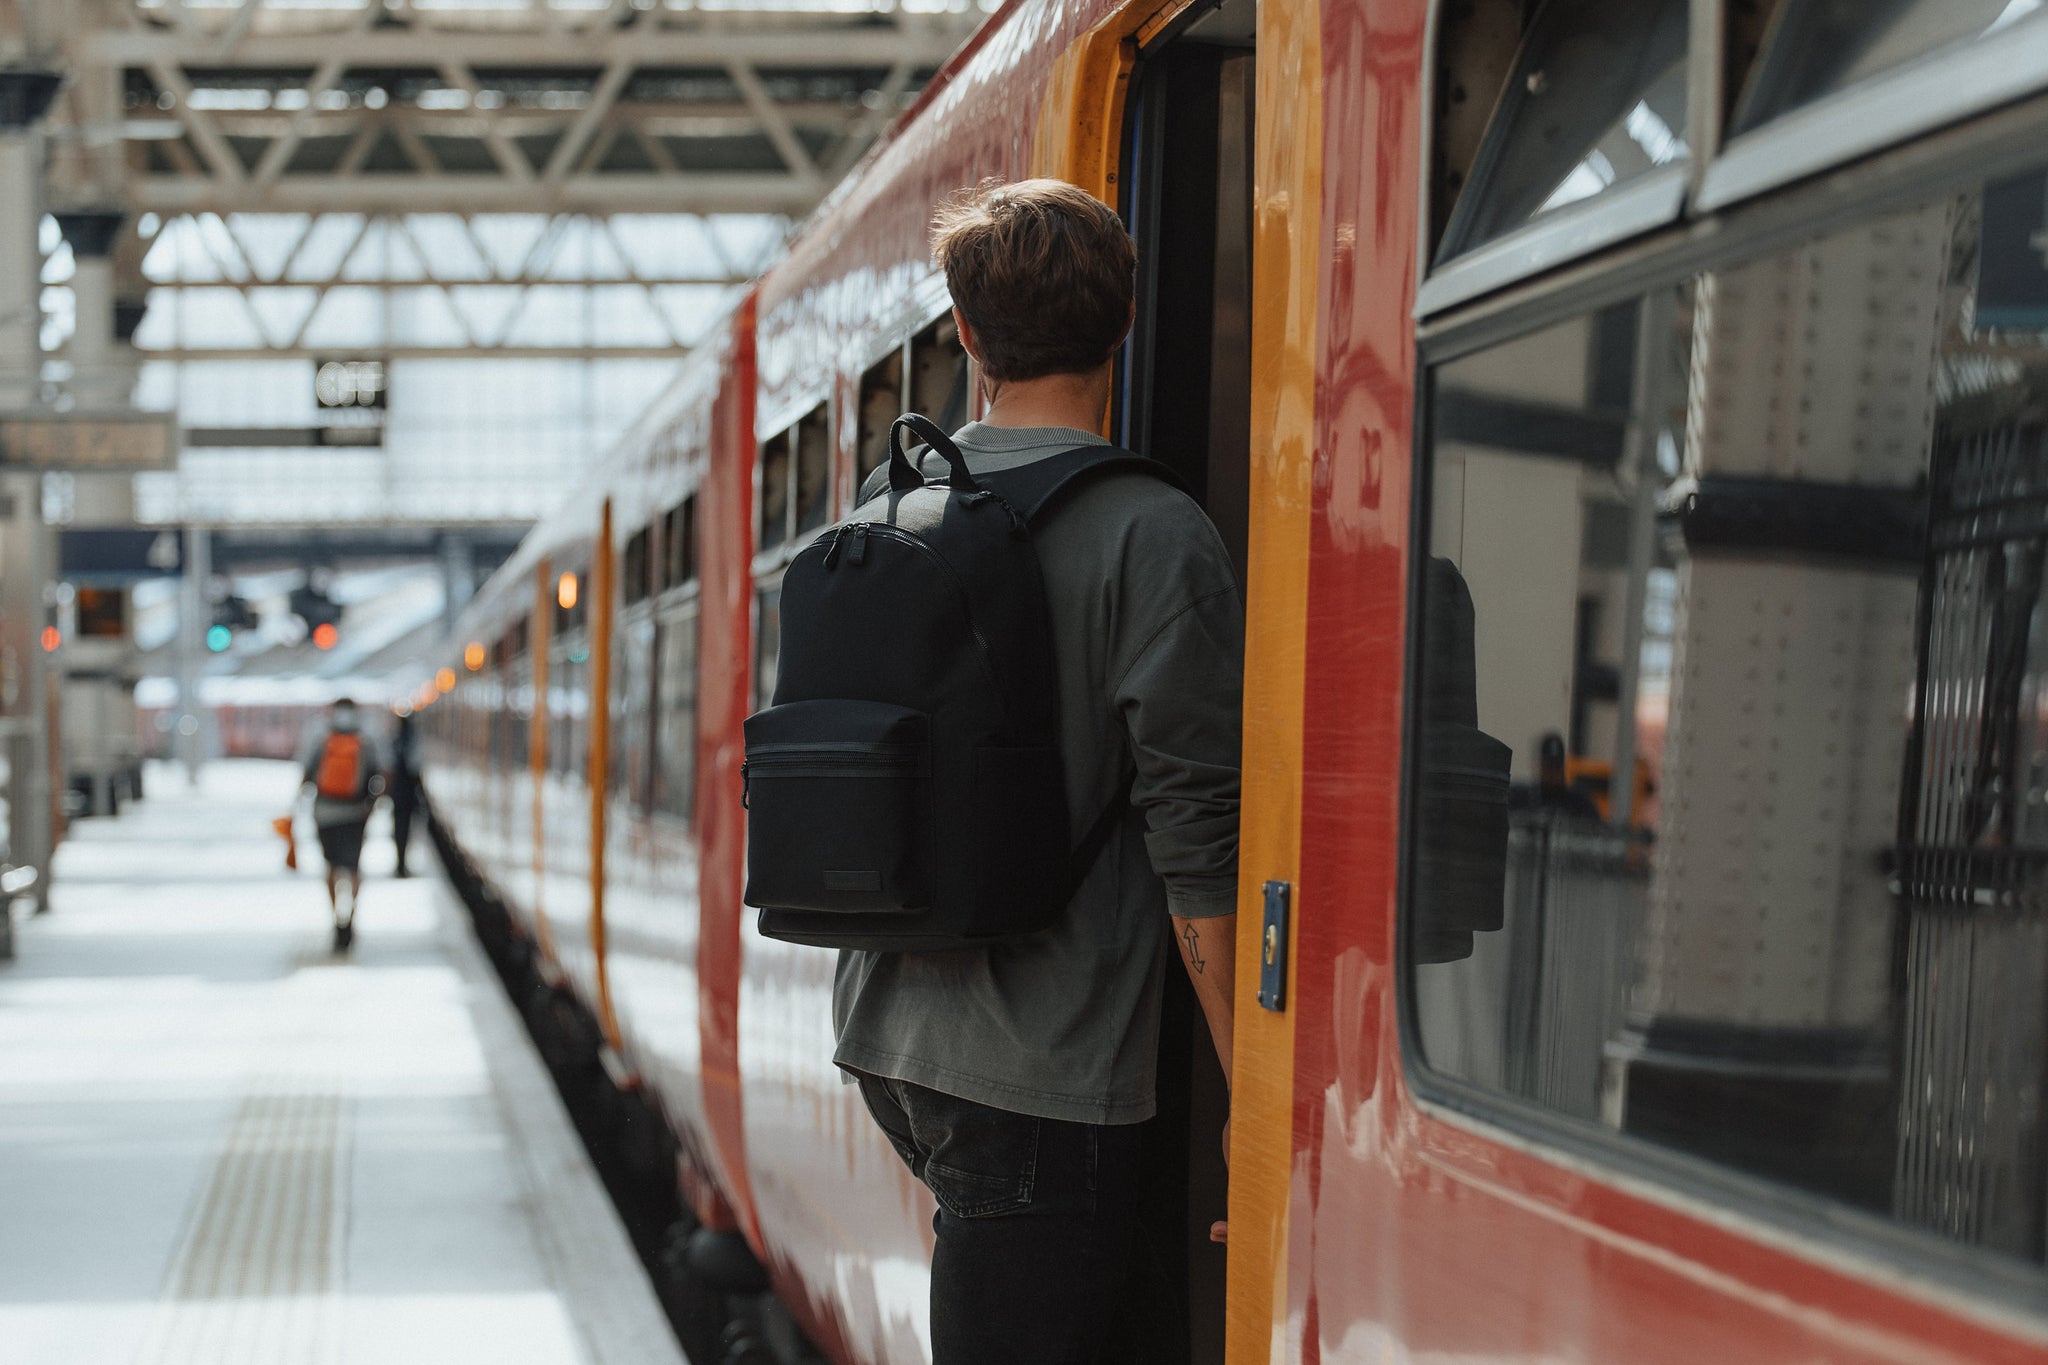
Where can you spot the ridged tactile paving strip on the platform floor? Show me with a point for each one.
(263, 1262)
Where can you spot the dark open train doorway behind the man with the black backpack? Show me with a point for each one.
(1185, 398)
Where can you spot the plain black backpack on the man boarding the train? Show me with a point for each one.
(906, 789)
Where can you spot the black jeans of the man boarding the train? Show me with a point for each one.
(1035, 1225)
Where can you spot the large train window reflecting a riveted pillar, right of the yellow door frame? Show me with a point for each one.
(1730, 756)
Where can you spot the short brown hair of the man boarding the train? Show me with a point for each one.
(1043, 273)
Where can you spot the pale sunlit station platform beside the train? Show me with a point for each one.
(220, 1143)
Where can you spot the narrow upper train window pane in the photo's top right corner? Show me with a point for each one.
(1818, 48)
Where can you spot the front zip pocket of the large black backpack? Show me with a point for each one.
(839, 807)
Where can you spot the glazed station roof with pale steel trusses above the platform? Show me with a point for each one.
(525, 210)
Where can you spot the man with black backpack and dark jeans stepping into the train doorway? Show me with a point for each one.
(1013, 1075)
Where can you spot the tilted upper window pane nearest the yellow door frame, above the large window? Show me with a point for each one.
(1596, 99)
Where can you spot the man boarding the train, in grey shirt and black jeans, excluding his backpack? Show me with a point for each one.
(1015, 1080)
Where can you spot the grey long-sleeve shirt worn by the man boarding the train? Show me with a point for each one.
(1148, 627)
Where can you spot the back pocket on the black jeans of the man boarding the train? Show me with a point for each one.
(976, 1159)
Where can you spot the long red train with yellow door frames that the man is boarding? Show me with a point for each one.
(1646, 394)
